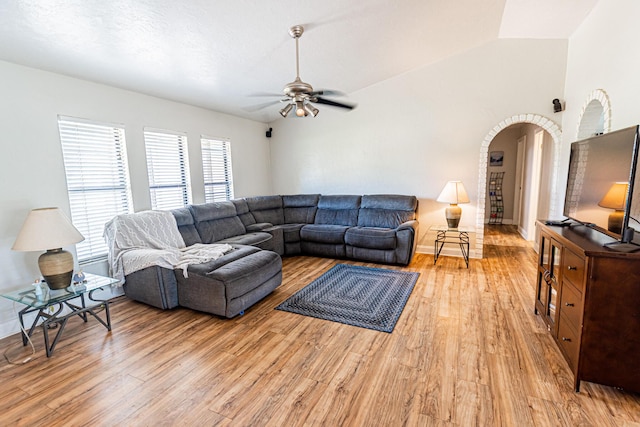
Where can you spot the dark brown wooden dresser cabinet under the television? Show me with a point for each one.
(589, 297)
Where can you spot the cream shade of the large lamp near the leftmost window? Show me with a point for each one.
(46, 228)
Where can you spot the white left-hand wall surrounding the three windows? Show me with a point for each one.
(31, 168)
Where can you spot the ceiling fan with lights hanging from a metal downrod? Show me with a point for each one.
(300, 95)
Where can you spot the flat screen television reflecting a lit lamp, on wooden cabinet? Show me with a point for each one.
(601, 189)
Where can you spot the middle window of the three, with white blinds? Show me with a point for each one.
(168, 169)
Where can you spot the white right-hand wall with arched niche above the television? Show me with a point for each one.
(603, 54)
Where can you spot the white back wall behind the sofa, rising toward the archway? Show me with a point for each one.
(413, 133)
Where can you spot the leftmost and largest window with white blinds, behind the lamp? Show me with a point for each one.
(95, 164)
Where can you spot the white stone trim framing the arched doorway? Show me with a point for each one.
(548, 125)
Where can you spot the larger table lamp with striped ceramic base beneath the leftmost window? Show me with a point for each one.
(49, 229)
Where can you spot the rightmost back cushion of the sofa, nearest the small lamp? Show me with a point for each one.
(386, 211)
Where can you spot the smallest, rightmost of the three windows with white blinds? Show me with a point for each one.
(216, 166)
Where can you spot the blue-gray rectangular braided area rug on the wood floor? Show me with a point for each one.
(367, 297)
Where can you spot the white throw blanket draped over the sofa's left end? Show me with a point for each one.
(140, 240)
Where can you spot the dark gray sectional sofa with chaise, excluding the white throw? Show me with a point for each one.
(376, 228)
